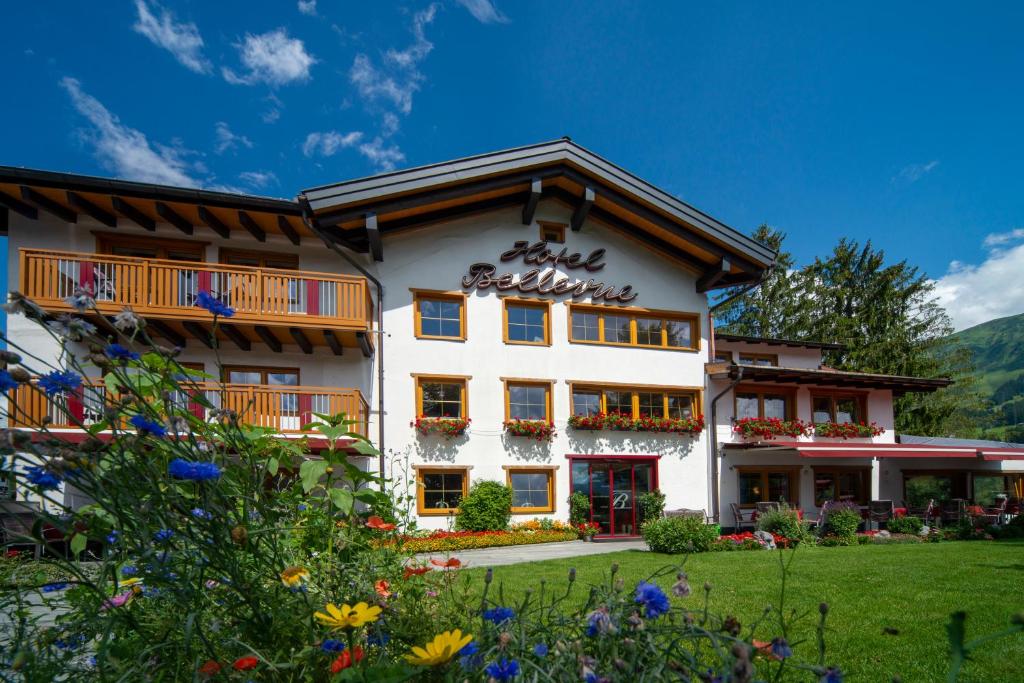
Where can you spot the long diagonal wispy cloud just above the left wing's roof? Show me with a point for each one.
(126, 151)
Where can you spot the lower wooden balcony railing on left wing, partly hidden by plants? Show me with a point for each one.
(285, 410)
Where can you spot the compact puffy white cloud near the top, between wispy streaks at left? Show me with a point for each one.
(273, 59)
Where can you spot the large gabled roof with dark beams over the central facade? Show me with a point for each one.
(356, 214)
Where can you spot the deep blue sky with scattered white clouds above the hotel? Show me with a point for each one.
(895, 124)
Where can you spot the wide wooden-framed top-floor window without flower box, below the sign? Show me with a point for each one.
(634, 327)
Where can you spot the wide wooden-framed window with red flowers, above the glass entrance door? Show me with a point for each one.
(675, 403)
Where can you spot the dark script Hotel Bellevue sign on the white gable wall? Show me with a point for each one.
(482, 276)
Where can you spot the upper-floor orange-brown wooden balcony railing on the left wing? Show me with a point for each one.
(168, 289)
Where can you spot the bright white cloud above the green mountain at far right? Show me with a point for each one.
(975, 294)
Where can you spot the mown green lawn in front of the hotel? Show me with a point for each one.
(872, 591)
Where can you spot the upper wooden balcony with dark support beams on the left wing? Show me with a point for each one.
(271, 307)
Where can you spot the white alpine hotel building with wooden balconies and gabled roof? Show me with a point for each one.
(429, 292)
